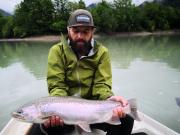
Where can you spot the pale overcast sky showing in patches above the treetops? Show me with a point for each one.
(9, 5)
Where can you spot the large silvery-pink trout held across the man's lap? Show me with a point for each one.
(73, 111)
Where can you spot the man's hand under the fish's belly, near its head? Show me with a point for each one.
(54, 121)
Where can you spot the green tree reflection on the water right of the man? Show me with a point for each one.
(126, 50)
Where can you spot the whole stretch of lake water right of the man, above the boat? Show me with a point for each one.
(148, 68)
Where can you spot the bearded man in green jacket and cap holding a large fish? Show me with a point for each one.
(80, 66)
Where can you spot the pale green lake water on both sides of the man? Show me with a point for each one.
(147, 68)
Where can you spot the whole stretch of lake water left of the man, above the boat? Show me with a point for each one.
(22, 75)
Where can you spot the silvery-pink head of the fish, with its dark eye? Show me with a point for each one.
(27, 114)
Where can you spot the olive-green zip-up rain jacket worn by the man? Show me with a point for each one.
(88, 77)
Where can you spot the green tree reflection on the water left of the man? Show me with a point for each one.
(32, 55)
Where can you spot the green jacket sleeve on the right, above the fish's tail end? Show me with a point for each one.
(103, 78)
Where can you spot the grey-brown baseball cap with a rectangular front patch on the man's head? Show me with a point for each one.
(80, 17)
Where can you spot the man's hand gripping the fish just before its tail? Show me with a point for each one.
(119, 112)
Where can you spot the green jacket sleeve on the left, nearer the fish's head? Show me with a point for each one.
(56, 73)
